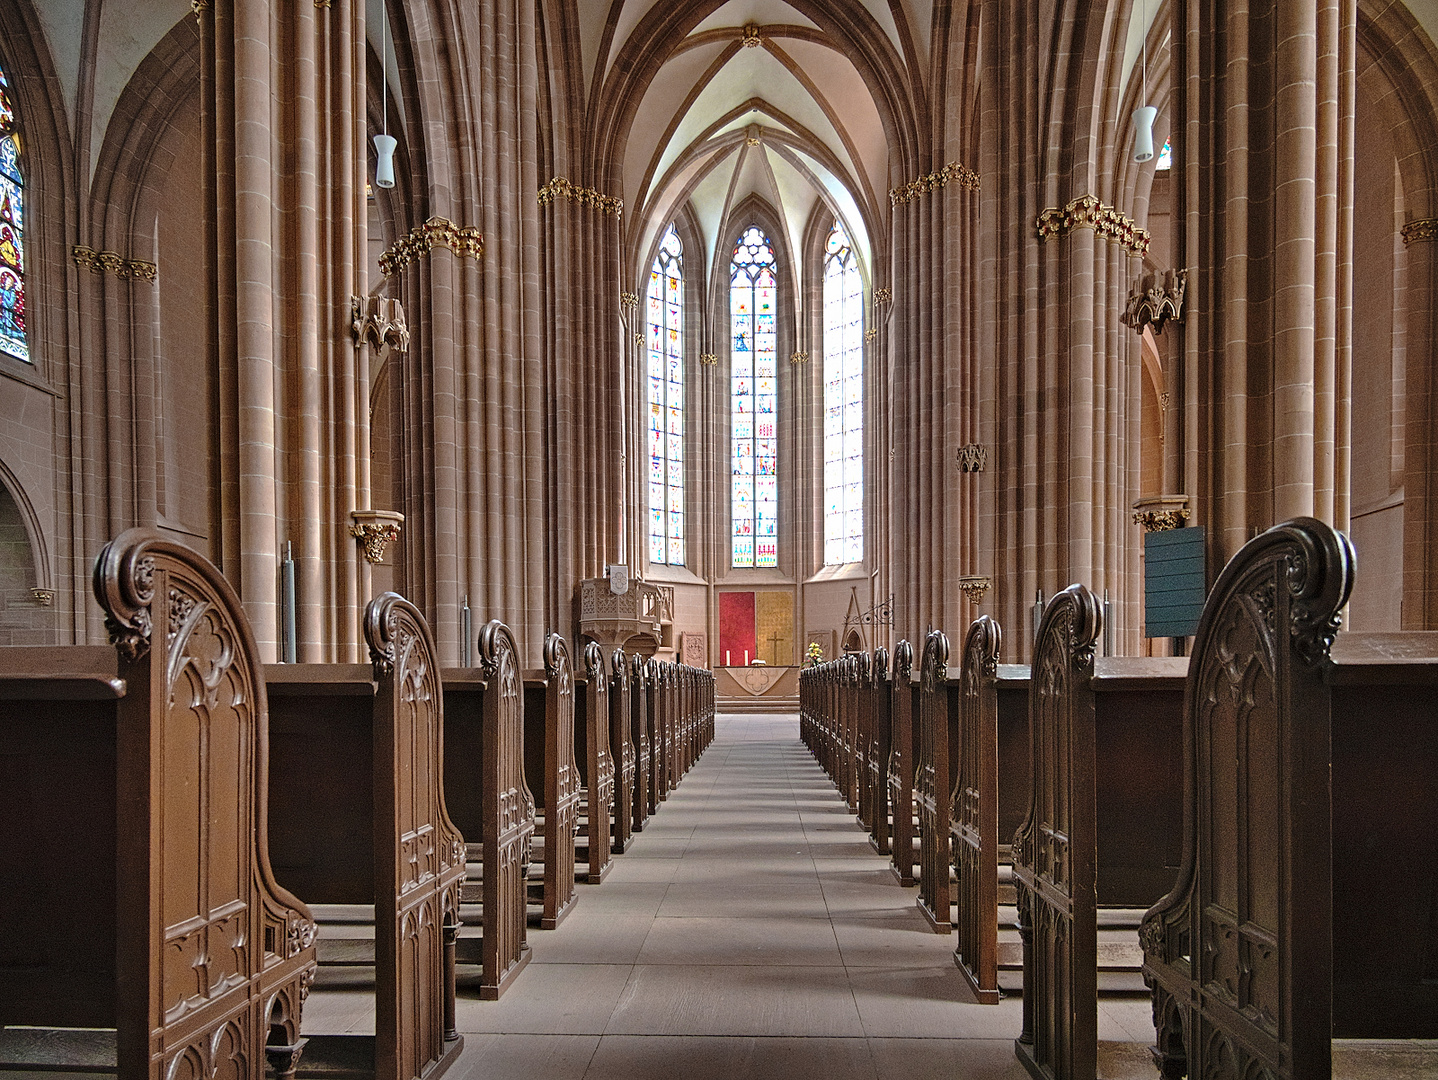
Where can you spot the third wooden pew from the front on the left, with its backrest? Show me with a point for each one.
(491, 803)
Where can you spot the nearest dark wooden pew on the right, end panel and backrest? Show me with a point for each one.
(1269, 944)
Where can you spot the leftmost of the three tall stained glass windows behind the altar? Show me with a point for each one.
(667, 403)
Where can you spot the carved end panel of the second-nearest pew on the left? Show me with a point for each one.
(419, 859)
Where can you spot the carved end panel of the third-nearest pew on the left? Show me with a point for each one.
(508, 815)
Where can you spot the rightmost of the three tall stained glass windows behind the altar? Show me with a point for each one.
(843, 403)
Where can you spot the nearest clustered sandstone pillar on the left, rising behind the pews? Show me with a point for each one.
(284, 93)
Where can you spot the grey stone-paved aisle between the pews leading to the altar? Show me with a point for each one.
(751, 931)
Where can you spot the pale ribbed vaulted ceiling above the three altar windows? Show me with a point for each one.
(754, 101)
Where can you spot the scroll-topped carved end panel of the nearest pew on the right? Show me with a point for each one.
(1240, 953)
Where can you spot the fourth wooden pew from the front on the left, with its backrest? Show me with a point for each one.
(553, 776)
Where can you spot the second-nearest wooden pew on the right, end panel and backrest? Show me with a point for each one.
(1104, 820)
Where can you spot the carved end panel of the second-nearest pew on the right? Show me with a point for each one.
(1056, 848)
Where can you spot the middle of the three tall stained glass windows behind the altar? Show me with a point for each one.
(754, 370)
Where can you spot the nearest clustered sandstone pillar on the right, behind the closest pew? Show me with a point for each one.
(1266, 165)
